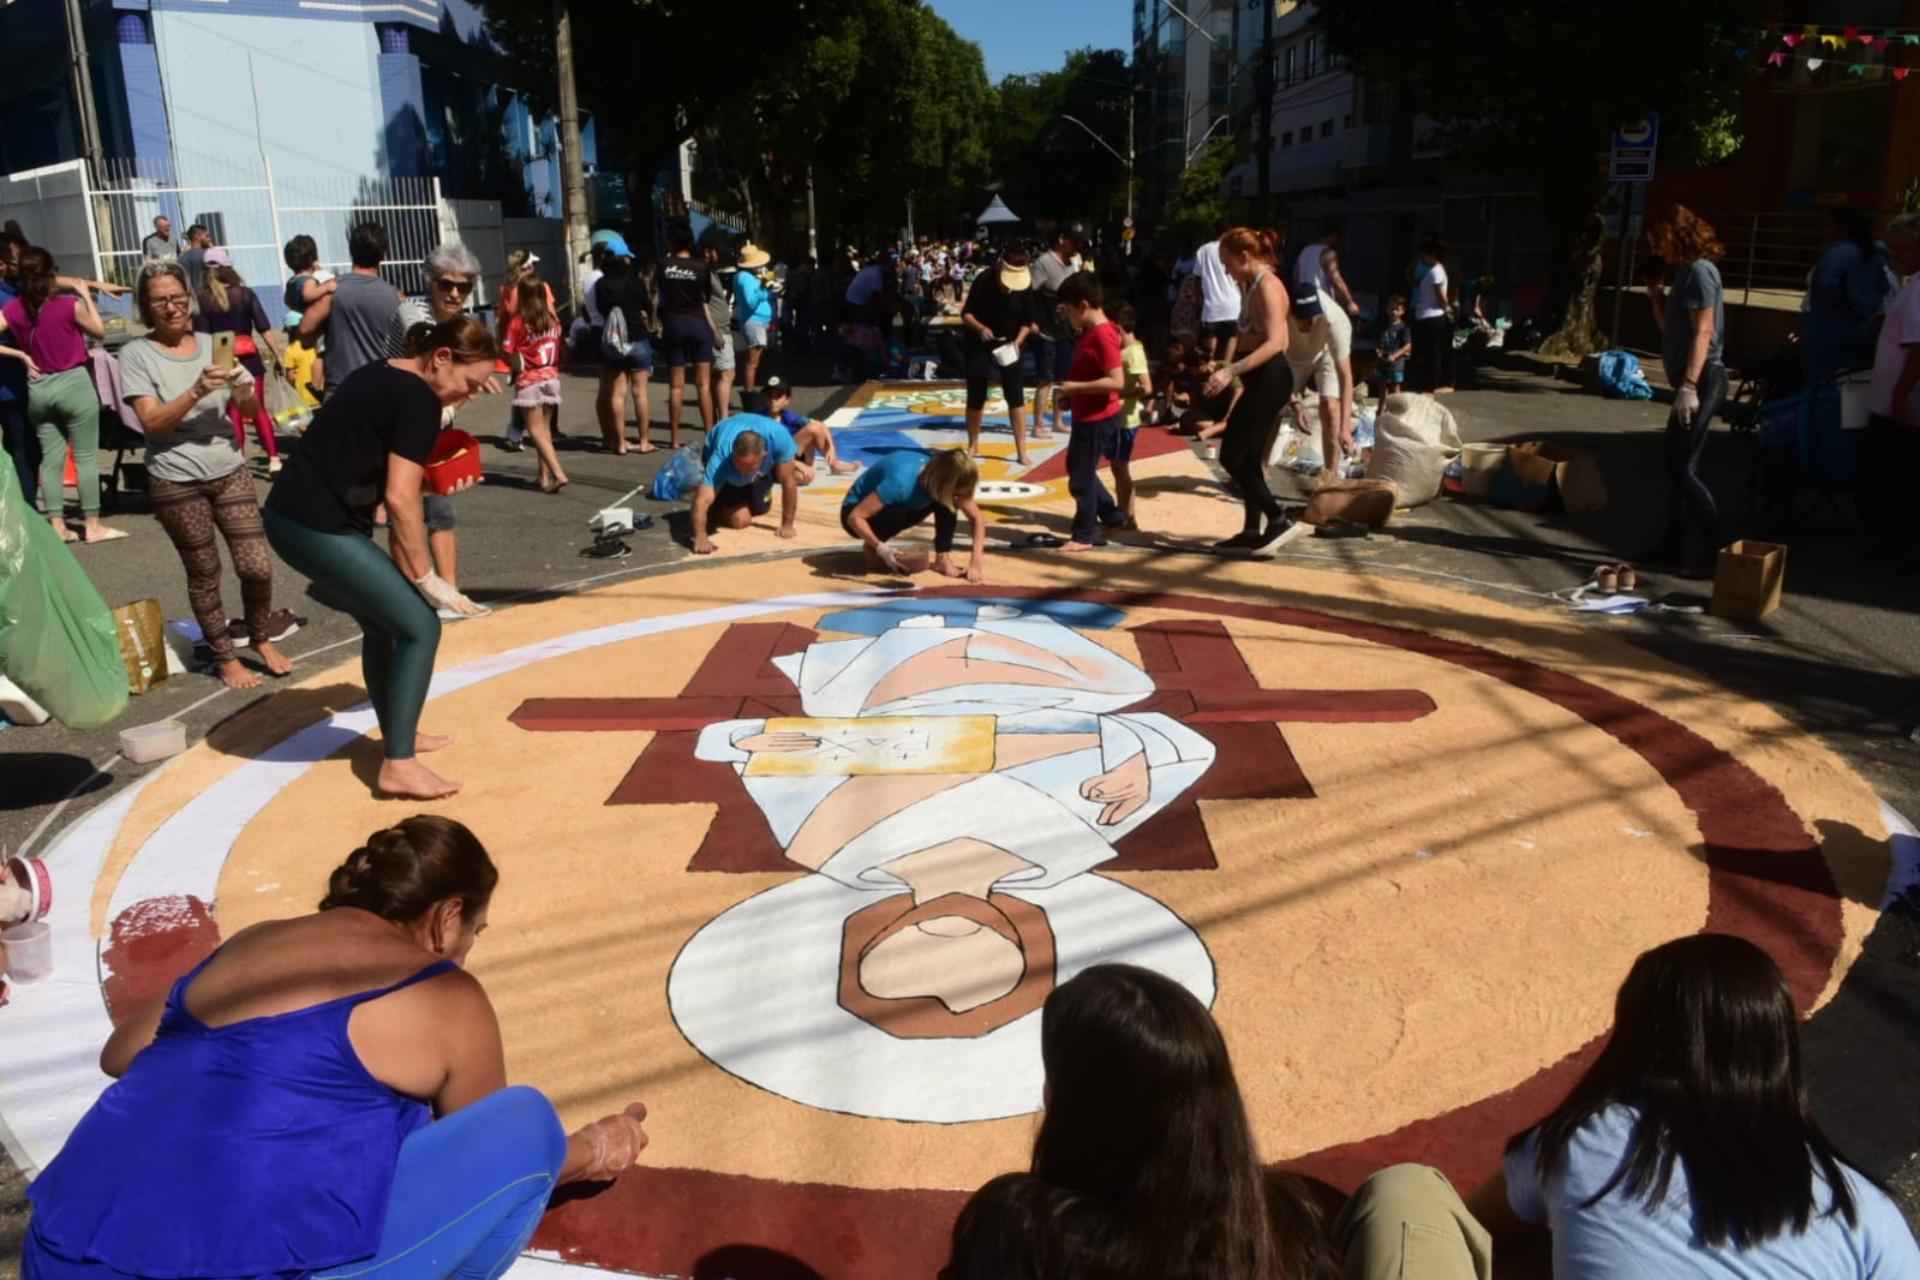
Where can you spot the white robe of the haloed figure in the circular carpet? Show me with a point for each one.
(1034, 811)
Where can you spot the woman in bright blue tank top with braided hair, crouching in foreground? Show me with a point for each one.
(324, 1097)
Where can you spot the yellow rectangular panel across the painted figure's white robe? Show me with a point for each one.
(807, 747)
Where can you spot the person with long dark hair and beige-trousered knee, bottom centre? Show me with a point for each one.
(1145, 1118)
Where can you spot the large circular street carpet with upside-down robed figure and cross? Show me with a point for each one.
(796, 863)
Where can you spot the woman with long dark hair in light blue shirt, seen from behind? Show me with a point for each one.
(1689, 1147)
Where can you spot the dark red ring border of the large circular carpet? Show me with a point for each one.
(1767, 882)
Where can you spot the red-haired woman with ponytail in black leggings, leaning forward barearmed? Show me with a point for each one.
(1266, 389)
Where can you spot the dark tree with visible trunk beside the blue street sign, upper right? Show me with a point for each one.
(1533, 89)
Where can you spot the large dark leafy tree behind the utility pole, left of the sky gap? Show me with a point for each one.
(880, 99)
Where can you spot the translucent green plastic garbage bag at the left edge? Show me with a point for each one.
(57, 634)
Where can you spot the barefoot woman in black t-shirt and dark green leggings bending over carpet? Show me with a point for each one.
(370, 446)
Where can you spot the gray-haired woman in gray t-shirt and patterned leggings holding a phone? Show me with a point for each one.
(199, 481)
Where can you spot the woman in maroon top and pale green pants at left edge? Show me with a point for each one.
(49, 327)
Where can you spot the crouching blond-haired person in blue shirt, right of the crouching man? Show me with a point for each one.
(900, 492)
